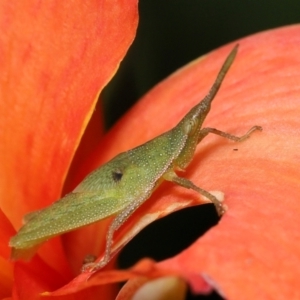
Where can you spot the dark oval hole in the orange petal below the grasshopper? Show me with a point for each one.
(170, 235)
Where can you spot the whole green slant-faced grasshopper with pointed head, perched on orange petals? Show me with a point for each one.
(121, 185)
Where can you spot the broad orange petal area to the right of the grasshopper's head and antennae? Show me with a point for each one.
(254, 251)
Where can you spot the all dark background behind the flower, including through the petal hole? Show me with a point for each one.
(170, 34)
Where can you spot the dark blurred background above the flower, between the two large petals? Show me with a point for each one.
(171, 33)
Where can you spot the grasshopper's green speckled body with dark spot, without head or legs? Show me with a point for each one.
(130, 176)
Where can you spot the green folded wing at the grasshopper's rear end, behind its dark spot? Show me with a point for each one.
(71, 212)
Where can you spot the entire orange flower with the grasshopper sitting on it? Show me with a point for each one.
(55, 57)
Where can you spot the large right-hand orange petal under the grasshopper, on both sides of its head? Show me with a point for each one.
(254, 251)
